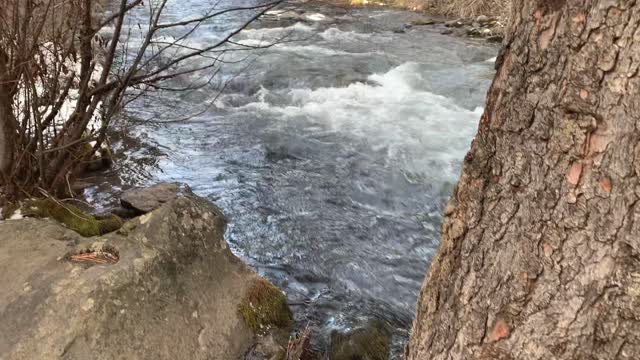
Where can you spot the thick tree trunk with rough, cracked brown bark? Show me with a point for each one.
(540, 253)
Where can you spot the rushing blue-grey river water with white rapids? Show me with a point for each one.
(332, 153)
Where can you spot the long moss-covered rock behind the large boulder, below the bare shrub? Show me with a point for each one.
(72, 217)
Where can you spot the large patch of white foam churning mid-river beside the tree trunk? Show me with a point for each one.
(416, 127)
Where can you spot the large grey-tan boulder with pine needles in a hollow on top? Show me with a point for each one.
(165, 286)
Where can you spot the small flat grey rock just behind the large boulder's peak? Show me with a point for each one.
(144, 200)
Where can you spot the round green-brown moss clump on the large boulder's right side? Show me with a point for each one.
(265, 307)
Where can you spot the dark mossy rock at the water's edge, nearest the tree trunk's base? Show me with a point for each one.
(371, 342)
